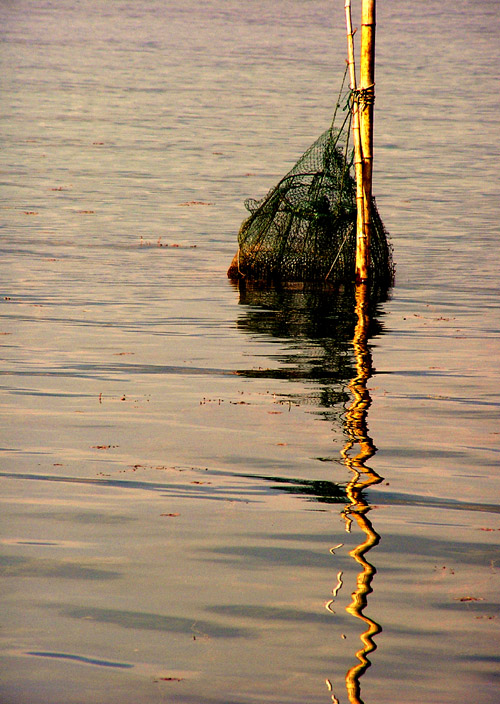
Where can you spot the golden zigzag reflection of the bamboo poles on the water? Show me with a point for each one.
(362, 477)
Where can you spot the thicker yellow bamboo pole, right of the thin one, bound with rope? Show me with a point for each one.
(366, 100)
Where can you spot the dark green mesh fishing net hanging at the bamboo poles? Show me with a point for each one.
(305, 228)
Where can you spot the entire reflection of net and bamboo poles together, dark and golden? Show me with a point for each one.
(321, 330)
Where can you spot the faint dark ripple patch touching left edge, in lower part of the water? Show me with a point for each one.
(16, 566)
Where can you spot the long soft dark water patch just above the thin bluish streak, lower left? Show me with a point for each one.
(139, 620)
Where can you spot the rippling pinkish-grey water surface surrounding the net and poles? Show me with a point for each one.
(172, 487)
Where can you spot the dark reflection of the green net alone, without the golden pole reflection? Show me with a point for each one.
(315, 329)
